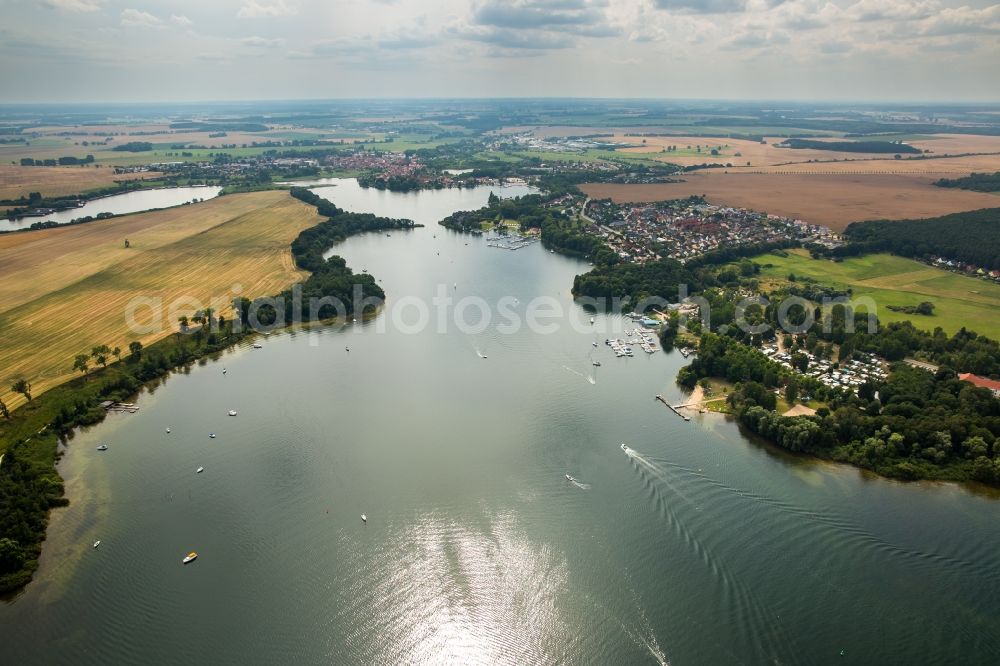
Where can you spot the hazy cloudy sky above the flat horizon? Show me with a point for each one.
(134, 50)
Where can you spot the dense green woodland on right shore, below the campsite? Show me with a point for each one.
(921, 425)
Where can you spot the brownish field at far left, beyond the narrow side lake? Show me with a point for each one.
(18, 181)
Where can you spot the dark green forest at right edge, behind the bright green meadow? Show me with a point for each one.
(971, 237)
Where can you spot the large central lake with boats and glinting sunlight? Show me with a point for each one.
(698, 547)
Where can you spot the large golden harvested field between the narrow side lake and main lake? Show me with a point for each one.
(66, 290)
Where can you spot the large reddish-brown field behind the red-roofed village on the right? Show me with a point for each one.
(831, 200)
